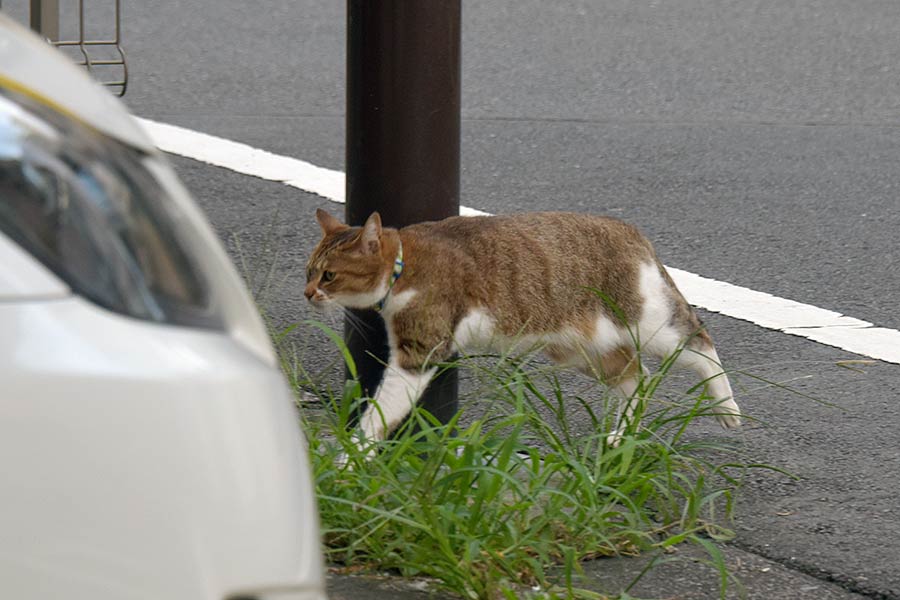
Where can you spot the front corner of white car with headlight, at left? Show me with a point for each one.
(149, 446)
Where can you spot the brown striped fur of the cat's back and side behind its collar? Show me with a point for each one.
(532, 271)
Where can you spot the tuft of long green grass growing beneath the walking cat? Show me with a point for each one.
(507, 499)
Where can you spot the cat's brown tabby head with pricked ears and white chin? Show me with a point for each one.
(347, 267)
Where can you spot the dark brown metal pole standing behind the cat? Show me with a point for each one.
(403, 132)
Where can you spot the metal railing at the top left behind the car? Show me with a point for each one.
(103, 58)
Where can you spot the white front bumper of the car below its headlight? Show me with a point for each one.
(145, 461)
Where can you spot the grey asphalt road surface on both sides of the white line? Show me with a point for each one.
(755, 142)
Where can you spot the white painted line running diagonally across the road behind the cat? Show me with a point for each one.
(788, 316)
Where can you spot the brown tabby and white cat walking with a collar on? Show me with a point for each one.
(488, 282)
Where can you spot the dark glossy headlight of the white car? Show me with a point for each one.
(84, 205)
